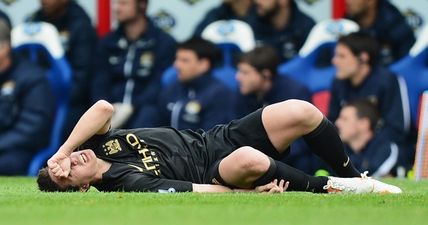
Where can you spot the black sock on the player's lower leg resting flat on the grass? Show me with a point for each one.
(298, 180)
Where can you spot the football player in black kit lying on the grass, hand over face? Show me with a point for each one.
(241, 155)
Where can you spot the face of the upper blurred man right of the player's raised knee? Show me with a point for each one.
(346, 63)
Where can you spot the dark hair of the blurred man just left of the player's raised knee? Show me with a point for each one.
(262, 58)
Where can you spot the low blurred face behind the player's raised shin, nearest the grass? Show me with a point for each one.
(348, 124)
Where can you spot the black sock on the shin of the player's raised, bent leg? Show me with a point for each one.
(325, 142)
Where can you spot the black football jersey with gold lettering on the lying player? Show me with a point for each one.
(151, 159)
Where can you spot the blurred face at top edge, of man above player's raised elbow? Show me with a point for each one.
(125, 10)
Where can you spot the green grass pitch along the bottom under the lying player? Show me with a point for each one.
(22, 203)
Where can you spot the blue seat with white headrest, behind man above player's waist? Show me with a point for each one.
(231, 36)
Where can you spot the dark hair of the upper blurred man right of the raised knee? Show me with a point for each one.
(359, 42)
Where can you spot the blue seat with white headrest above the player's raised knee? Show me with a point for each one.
(312, 66)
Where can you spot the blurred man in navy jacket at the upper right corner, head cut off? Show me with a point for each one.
(384, 22)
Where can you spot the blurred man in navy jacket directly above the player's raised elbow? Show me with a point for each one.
(129, 63)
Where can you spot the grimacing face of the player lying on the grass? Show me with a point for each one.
(83, 169)
